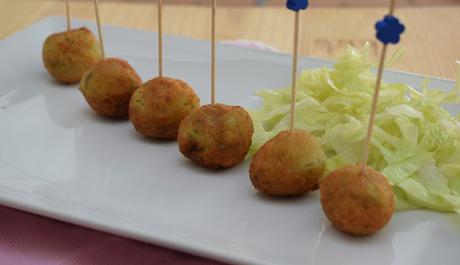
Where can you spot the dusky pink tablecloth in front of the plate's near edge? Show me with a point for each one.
(28, 239)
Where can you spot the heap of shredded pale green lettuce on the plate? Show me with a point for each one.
(416, 143)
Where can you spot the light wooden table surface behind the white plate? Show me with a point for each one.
(432, 40)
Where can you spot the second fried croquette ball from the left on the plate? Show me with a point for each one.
(108, 87)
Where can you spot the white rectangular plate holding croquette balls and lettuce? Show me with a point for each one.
(60, 160)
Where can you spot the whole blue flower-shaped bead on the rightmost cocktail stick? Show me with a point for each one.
(389, 30)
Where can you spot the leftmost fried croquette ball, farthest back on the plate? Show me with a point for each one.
(67, 55)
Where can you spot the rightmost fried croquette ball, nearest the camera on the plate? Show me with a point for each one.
(357, 203)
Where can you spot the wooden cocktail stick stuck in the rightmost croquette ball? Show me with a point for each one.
(377, 88)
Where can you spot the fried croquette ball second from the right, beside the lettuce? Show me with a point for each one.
(289, 164)
